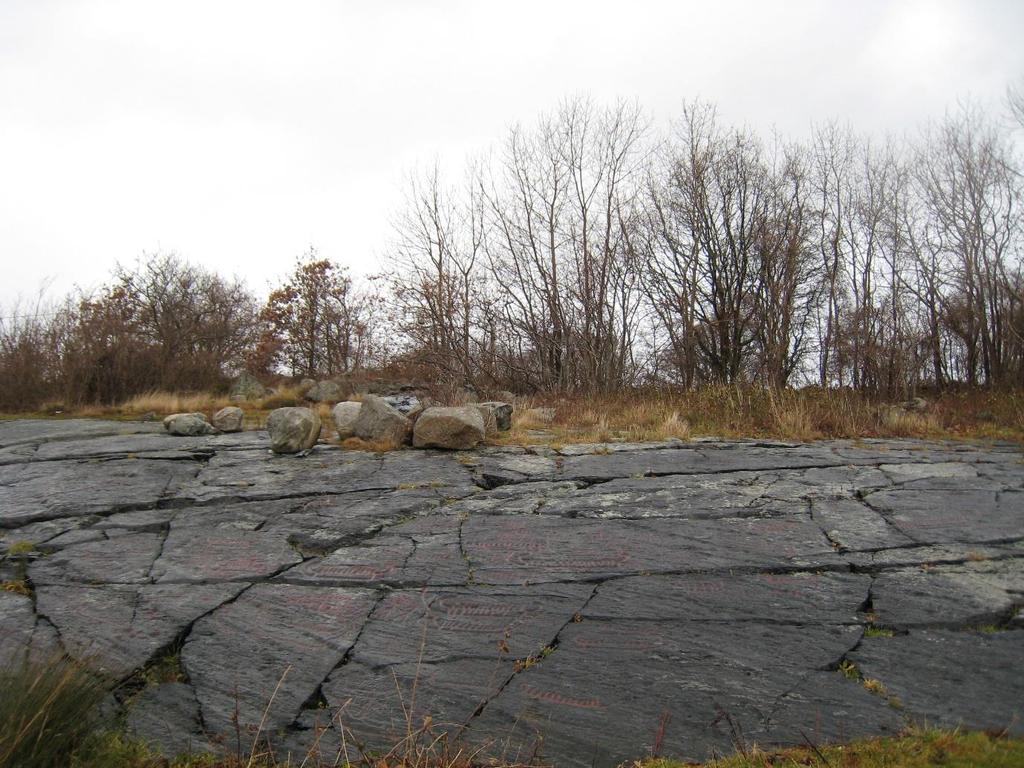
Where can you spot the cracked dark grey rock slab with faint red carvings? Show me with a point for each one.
(586, 606)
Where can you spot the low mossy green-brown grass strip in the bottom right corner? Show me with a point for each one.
(914, 750)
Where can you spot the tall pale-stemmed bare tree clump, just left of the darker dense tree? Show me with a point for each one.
(562, 205)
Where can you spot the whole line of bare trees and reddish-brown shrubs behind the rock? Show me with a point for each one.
(588, 254)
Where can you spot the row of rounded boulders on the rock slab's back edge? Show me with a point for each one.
(389, 421)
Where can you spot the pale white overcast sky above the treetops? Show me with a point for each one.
(240, 134)
